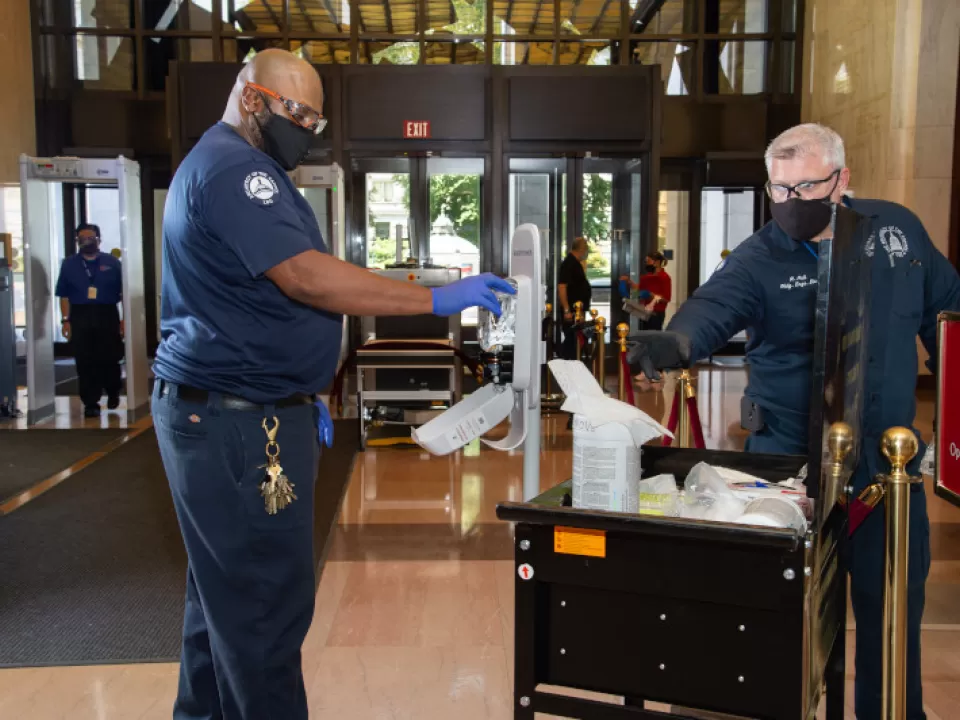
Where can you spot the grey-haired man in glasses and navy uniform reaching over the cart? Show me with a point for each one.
(763, 286)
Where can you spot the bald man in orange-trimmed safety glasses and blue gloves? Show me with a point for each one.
(250, 330)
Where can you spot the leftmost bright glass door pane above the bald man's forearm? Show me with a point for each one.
(388, 217)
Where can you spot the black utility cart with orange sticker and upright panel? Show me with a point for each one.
(726, 618)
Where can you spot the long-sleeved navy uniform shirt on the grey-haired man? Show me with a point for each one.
(767, 286)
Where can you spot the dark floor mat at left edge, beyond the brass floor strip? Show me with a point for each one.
(29, 456)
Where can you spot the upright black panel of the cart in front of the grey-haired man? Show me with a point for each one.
(839, 355)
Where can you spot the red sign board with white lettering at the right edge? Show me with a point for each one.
(948, 408)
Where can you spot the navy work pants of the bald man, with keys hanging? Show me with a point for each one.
(250, 577)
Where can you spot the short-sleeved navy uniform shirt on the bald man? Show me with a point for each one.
(231, 215)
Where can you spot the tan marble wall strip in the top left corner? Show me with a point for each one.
(17, 130)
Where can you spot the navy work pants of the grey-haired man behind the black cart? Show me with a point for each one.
(865, 561)
